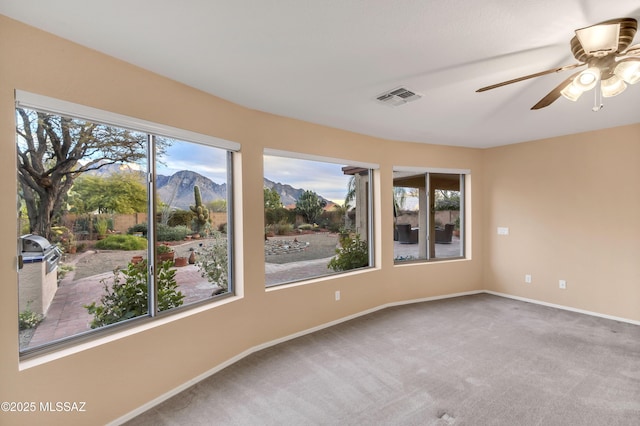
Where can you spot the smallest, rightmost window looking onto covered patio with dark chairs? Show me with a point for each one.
(428, 215)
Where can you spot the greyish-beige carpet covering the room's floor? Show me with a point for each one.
(474, 360)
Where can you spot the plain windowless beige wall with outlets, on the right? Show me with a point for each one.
(555, 196)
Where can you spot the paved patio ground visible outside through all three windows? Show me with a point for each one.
(67, 316)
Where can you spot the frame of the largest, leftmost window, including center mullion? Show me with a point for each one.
(41, 103)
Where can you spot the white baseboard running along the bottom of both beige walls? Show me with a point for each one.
(271, 343)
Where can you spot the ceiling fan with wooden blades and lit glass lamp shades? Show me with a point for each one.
(604, 49)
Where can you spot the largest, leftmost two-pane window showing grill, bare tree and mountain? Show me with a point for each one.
(92, 252)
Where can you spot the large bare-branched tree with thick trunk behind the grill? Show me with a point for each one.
(53, 151)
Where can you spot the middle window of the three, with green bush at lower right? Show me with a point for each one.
(317, 218)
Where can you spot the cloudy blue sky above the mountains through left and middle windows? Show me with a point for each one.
(326, 179)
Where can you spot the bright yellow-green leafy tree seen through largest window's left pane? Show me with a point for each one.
(122, 193)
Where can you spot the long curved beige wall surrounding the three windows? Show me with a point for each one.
(121, 372)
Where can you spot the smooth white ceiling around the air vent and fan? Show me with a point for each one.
(325, 61)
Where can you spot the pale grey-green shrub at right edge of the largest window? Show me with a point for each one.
(213, 262)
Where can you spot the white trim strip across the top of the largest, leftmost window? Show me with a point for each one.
(65, 108)
